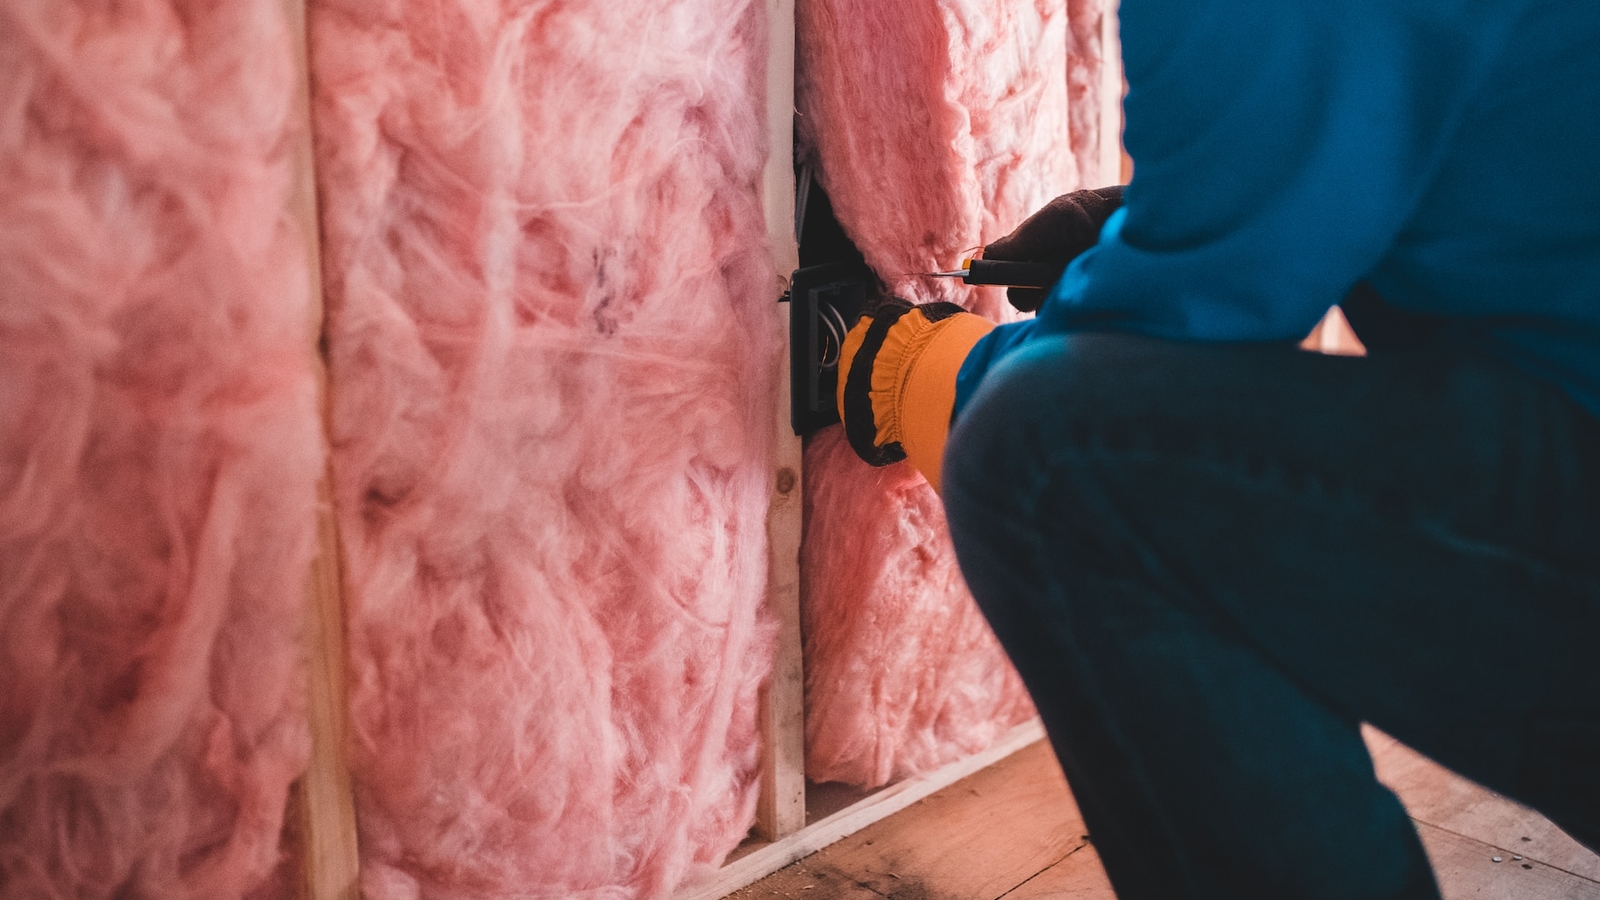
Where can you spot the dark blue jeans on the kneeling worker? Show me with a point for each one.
(1212, 563)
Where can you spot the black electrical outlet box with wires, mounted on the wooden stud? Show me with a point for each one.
(825, 302)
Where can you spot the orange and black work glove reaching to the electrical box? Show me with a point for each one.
(897, 380)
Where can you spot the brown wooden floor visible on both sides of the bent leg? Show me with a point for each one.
(1014, 832)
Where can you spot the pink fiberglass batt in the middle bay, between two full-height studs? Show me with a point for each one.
(553, 347)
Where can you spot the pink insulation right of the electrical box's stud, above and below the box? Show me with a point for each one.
(935, 127)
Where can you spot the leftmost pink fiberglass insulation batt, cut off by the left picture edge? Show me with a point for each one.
(159, 449)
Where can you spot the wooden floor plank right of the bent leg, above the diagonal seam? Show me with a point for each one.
(1438, 797)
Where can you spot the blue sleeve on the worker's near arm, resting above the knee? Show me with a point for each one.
(1279, 151)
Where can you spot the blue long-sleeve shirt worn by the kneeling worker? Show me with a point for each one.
(1447, 153)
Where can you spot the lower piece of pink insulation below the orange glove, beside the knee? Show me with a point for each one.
(903, 672)
